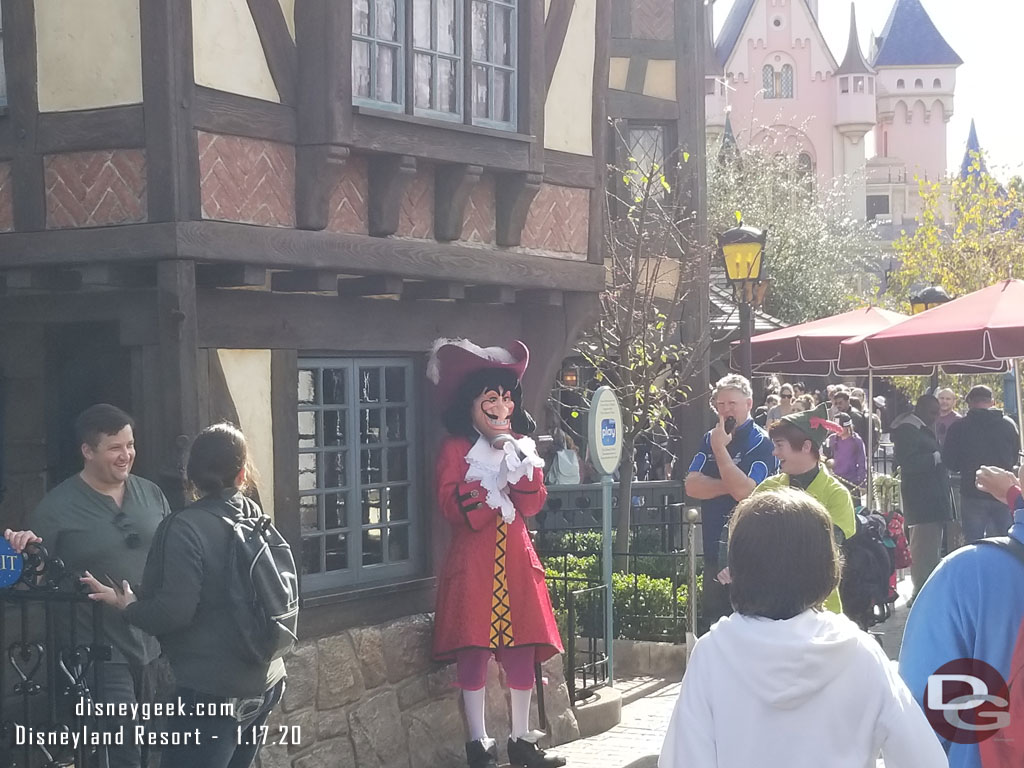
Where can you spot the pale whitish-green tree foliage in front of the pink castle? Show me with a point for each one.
(819, 257)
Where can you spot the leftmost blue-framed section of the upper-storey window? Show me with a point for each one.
(378, 61)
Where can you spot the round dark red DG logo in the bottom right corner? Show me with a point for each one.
(967, 702)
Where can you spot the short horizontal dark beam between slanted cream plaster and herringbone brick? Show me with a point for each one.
(219, 112)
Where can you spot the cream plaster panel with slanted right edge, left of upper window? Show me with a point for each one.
(227, 51)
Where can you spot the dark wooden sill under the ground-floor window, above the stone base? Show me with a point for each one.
(330, 613)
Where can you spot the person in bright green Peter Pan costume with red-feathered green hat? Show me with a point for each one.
(798, 440)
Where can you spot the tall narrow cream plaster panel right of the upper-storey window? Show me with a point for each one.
(569, 111)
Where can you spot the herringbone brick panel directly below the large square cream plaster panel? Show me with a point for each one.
(96, 189)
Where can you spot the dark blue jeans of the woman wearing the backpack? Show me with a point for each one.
(221, 745)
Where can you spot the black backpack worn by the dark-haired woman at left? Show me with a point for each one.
(263, 588)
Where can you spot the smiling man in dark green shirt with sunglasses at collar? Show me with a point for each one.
(103, 521)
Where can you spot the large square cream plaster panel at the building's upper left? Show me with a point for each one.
(89, 55)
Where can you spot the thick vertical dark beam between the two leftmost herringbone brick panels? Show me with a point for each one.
(168, 84)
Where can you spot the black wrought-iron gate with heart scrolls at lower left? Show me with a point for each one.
(51, 668)
